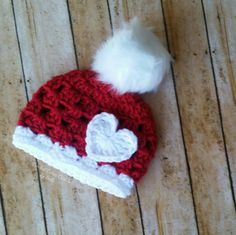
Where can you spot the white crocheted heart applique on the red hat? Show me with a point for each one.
(107, 144)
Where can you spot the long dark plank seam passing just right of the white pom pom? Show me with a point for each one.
(180, 119)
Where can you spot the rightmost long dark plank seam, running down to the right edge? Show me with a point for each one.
(218, 104)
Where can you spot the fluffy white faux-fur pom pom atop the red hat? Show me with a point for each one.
(133, 60)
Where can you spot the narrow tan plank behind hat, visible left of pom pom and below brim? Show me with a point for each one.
(91, 26)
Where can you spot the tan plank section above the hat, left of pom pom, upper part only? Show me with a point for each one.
(91, 27)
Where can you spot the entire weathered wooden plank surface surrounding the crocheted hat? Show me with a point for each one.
(190, 187)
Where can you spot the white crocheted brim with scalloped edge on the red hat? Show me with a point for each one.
(65, 159)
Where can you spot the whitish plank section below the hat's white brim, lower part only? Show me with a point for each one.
(71, 208)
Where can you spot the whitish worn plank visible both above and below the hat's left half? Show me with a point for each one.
(47, 49)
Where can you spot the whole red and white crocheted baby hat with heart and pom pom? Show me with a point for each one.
(89, 124)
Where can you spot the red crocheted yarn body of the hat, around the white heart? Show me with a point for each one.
(62, 108)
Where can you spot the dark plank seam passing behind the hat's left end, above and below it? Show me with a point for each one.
(27, 98)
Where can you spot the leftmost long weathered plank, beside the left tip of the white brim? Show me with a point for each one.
(18, 173)
